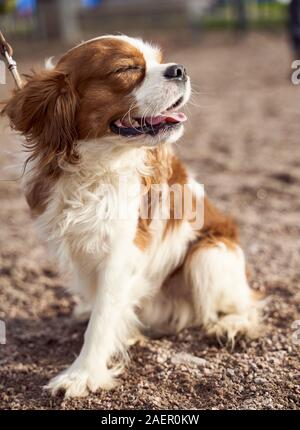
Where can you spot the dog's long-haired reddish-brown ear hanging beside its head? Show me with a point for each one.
(44, 111)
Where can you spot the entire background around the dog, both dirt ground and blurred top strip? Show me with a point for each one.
(242, 141)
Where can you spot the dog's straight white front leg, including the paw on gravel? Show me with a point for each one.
(110, 325)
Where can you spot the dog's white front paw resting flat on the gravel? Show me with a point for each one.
(77, 382)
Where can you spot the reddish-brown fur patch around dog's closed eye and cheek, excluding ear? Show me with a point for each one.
(105, 72)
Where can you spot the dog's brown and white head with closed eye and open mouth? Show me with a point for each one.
(114, 87)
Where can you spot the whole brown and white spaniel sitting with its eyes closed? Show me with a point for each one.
(109, 110)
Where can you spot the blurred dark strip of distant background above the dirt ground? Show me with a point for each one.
(69, 19)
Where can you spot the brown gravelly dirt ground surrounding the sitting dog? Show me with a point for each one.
(242, 141)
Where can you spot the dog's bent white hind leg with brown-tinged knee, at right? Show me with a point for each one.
(222, 299)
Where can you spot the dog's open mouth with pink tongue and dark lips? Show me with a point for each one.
(148, 125)
